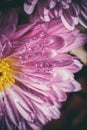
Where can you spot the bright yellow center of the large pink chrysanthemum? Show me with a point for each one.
(6, 74)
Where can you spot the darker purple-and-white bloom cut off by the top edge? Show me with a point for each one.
(71, 13)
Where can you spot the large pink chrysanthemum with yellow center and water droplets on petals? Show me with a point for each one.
(36, 73)
